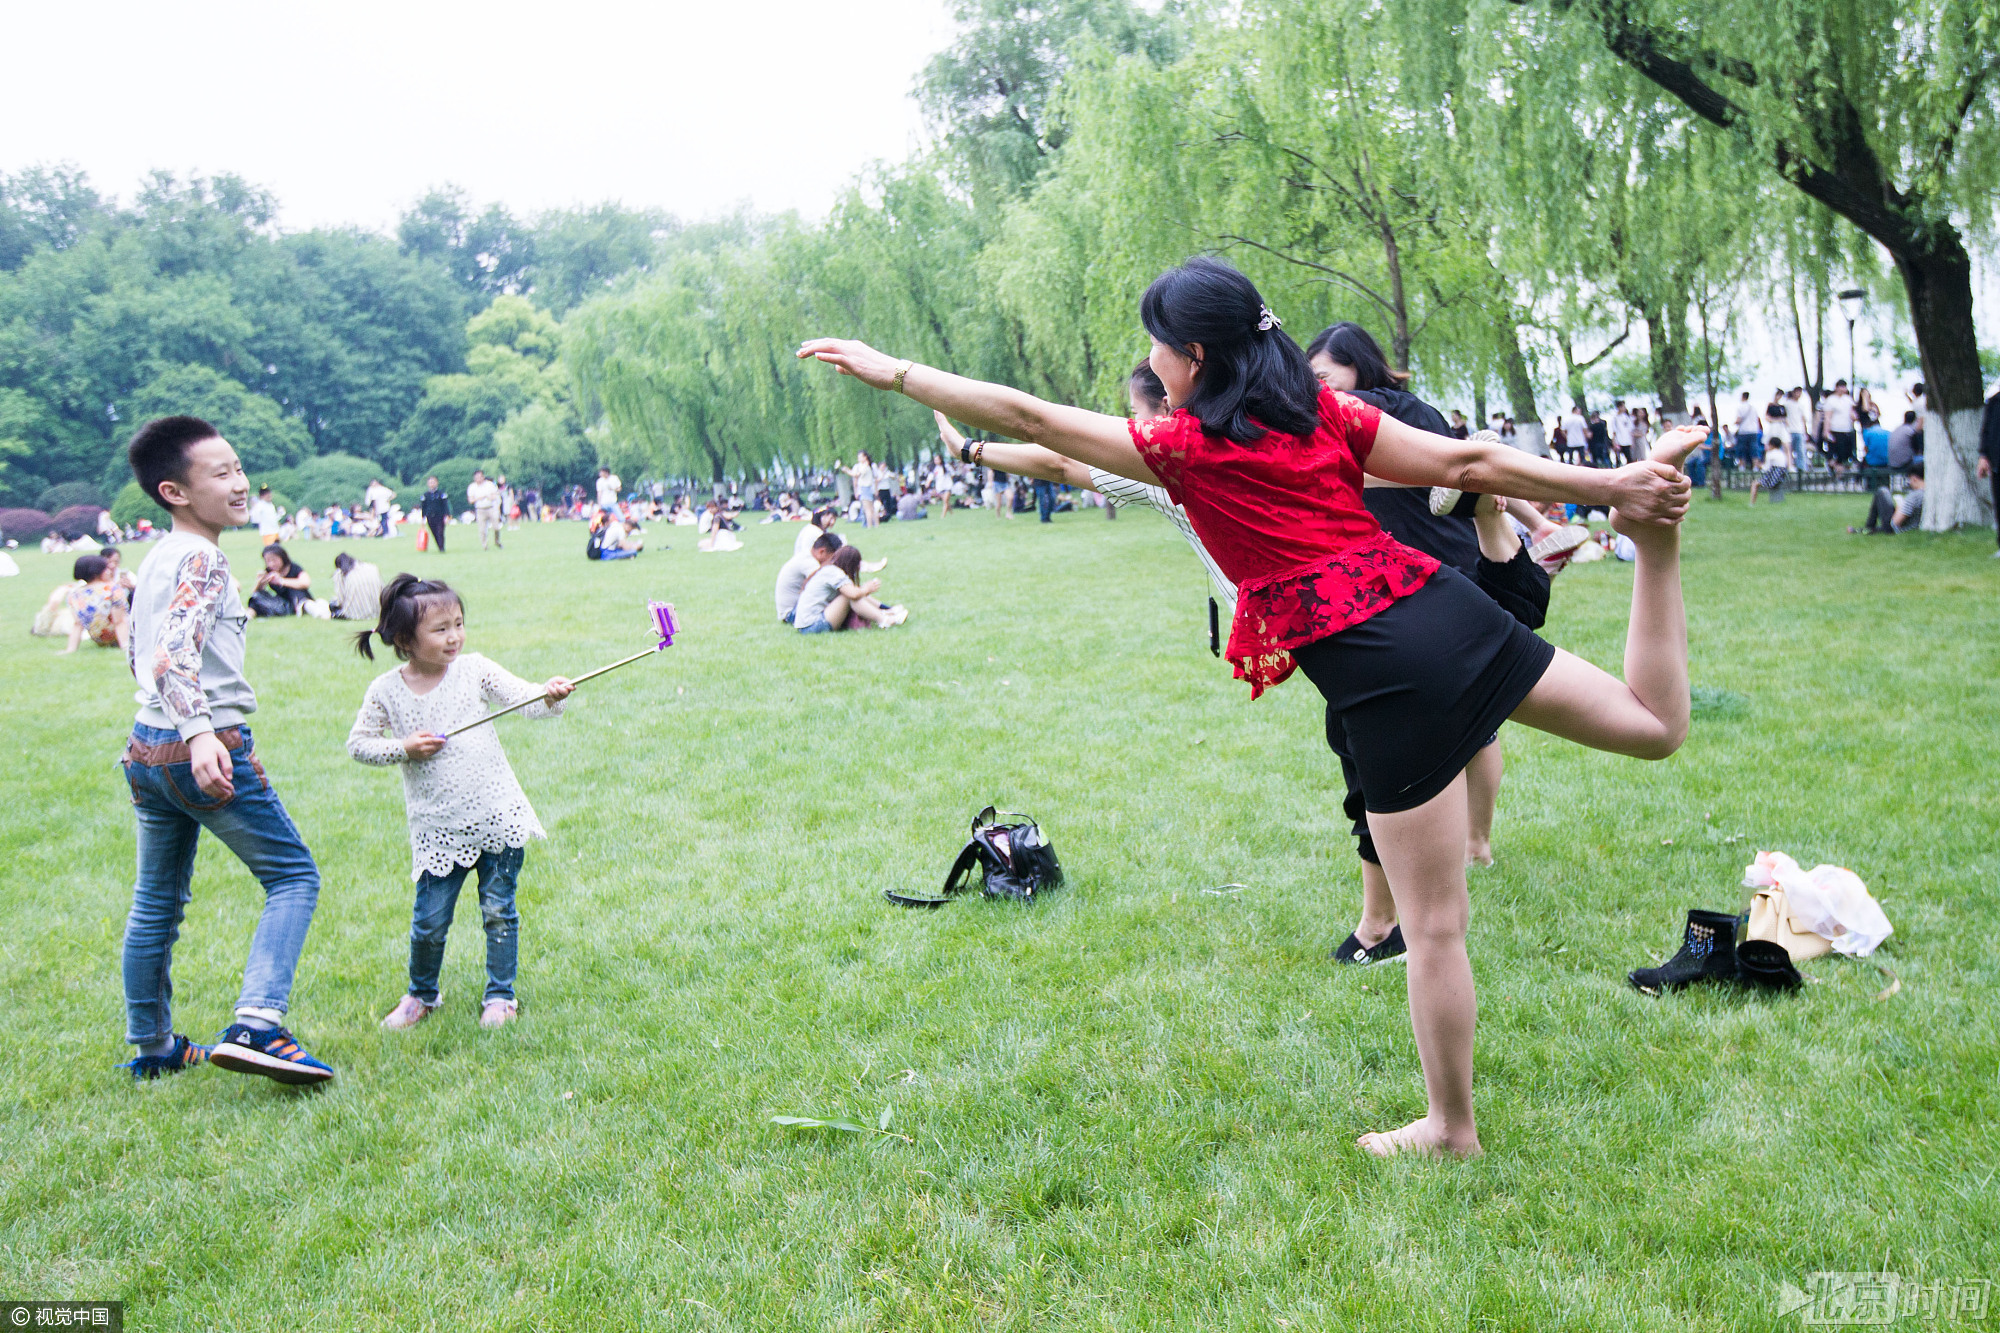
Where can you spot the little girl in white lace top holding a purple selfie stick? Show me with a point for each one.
(465, 806)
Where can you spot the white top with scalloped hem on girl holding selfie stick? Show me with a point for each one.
(463, 802)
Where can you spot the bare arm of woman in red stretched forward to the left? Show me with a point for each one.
(1089, 437)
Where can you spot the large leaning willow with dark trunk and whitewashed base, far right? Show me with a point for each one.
(1887, 113)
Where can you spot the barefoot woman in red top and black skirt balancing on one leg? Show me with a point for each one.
(1415, 663)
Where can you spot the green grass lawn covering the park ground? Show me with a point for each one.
(1129, 1108)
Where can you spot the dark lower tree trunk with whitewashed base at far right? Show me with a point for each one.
(1941, 309)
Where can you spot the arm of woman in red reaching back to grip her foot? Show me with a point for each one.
(1651, 491)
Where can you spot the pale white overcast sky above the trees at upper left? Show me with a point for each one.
(351, 111)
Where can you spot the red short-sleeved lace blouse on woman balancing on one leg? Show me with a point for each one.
(1285, 521)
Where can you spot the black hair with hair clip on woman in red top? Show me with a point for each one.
(1251, 379)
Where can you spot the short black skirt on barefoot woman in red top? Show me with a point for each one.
(1419, 688)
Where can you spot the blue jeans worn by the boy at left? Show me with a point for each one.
(253, 824)
